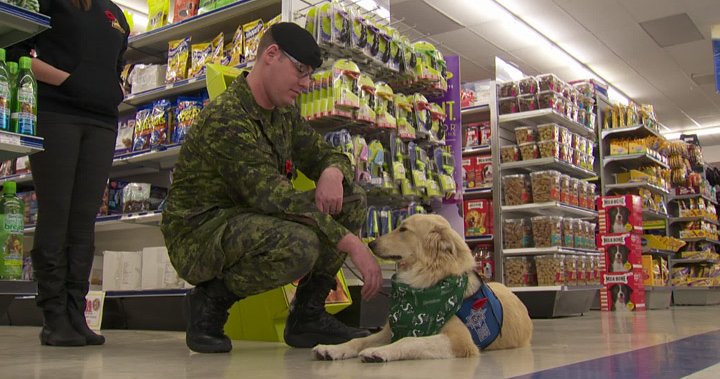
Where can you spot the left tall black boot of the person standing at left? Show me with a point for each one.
(50, 270)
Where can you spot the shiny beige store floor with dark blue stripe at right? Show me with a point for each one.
(670, 343)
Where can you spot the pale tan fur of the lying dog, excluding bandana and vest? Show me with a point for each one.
(429, 250)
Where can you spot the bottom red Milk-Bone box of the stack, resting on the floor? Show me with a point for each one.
(623, 292)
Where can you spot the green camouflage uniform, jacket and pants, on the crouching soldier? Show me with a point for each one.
(232, 212)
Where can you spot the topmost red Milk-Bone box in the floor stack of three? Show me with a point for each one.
(620, 214)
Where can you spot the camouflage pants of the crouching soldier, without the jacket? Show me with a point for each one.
(262, 252)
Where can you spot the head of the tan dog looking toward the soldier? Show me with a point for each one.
(426, 244)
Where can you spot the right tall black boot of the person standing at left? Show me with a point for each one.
(80, 260)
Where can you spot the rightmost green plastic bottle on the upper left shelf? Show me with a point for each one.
(24, 116)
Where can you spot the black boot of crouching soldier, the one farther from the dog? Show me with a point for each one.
(207, 312)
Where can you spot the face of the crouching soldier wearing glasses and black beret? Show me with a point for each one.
(287, 77)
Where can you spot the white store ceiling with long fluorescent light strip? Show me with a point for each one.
(605, 35)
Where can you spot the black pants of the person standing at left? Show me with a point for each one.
(70, 178)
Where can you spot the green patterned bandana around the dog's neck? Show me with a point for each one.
(422, 312)
